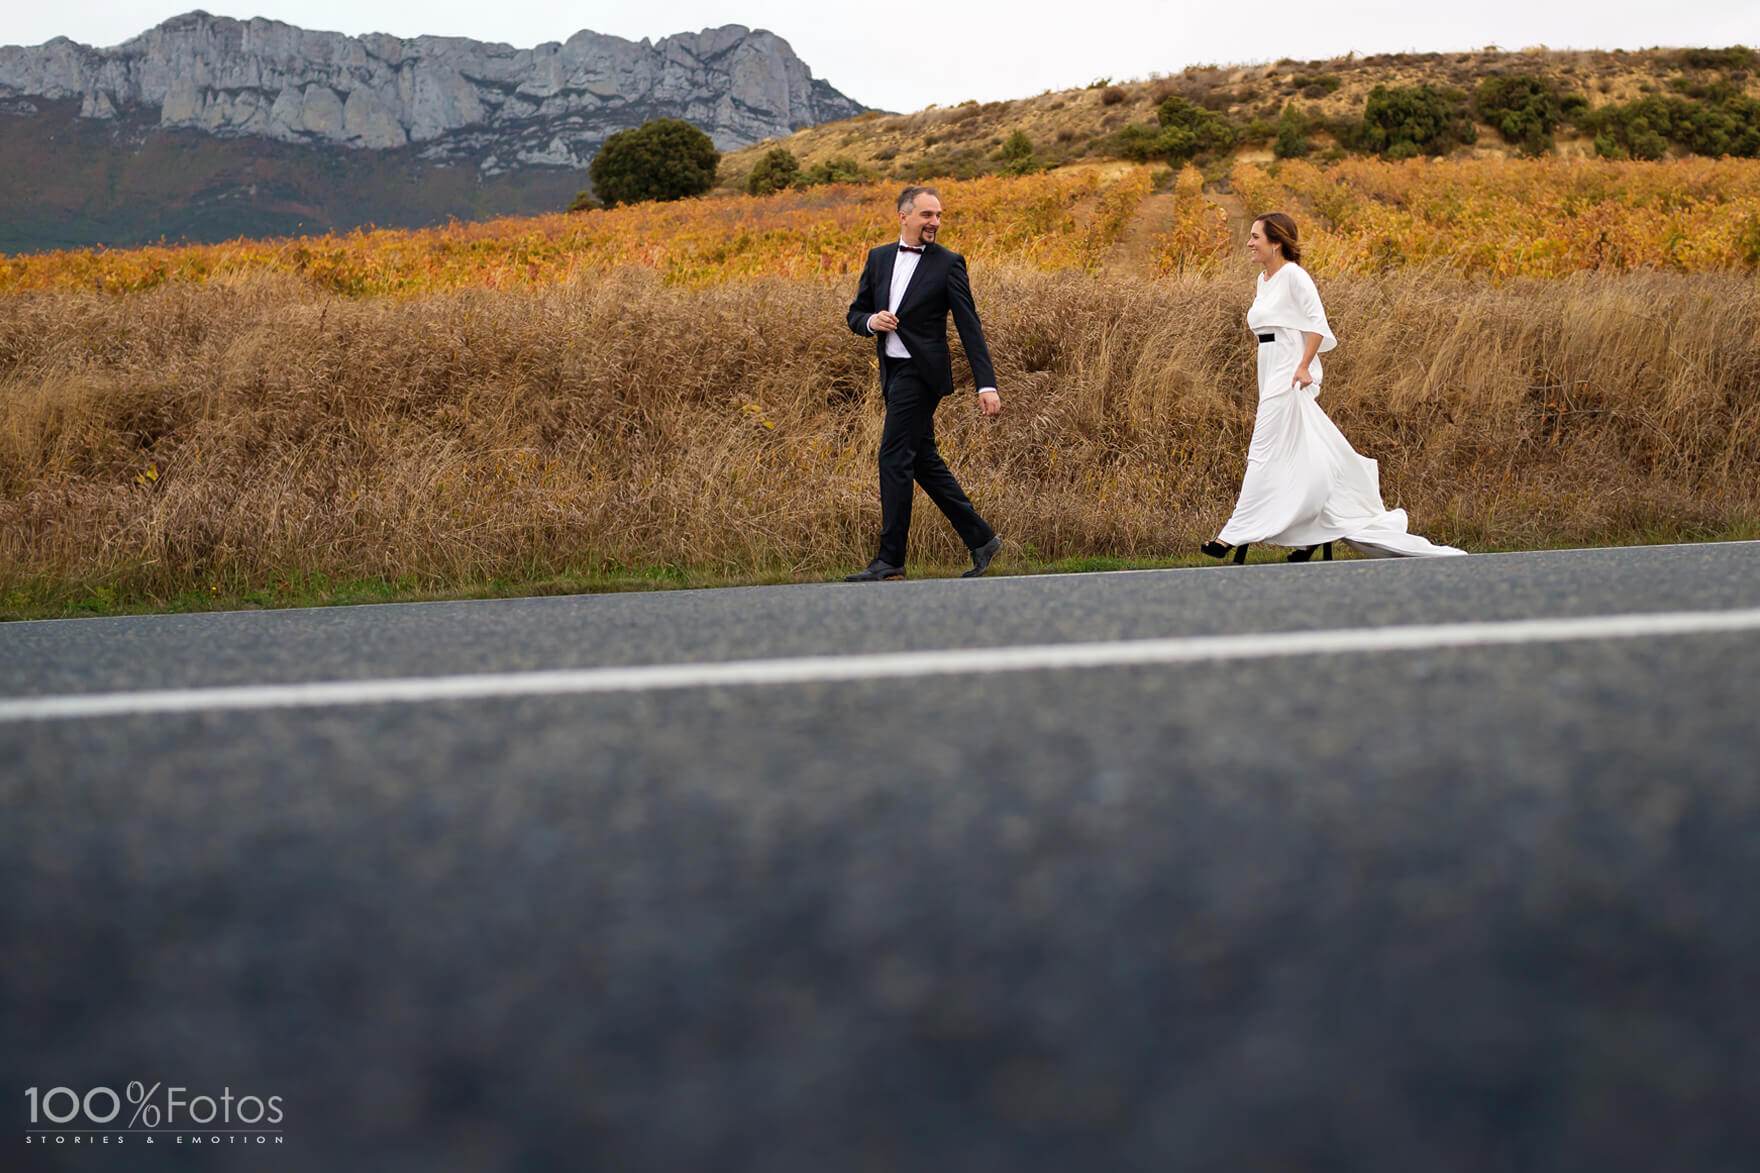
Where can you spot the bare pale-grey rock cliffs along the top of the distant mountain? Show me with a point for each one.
(451, 100)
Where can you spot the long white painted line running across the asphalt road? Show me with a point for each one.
(883, 665)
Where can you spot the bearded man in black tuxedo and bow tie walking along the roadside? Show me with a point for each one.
(904, 300)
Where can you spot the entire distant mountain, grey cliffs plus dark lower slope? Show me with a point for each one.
(209, 128)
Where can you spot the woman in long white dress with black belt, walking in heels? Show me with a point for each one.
(1305, 485)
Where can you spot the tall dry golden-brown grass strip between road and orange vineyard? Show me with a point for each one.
(233, 434)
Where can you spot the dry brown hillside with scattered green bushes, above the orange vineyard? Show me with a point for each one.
(1328, 100)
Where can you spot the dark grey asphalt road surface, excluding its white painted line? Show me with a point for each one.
(1449, 908)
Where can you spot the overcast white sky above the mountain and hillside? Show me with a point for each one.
(906, 55)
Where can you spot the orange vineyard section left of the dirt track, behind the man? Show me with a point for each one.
(1050, 221)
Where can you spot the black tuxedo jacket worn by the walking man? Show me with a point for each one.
(939, 288)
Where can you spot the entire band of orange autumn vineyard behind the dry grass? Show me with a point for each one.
(1497, 219)
